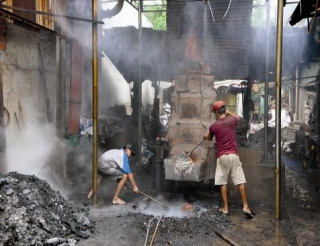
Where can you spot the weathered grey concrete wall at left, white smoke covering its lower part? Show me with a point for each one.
(30, 138)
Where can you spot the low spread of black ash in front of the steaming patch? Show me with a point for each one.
(201, 227)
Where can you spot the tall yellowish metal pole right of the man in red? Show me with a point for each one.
(278, 110)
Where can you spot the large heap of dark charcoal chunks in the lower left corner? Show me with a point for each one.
(32, 213)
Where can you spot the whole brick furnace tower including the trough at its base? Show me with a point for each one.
(191, 116)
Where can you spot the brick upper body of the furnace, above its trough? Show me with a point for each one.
(191, 109)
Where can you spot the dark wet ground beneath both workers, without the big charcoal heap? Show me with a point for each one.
(204, 225)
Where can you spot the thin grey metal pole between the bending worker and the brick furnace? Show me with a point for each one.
(140, 84)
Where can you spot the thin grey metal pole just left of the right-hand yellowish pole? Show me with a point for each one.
(266, 85)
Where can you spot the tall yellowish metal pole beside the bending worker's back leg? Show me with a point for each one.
(95, 102)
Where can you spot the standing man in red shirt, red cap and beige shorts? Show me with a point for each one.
(228, 161)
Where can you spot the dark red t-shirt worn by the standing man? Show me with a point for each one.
(224, 131)
